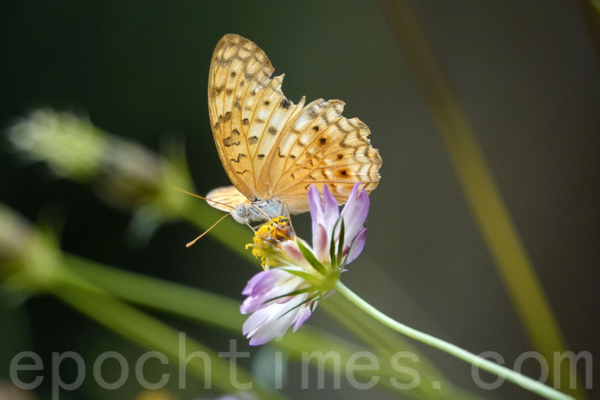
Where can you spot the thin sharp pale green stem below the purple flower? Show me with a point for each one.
(475, 360)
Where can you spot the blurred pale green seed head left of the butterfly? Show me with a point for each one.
(124, 174)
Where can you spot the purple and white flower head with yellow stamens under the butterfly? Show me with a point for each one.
(297, 276)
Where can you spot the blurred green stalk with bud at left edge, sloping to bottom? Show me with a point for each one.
(31, 262)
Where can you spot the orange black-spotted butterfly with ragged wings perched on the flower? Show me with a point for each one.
(273, 149)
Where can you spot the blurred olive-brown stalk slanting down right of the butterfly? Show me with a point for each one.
(477, 181)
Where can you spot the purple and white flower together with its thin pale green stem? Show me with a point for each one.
(278, 301)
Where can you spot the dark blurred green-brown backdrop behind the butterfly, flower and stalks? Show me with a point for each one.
(526, 74)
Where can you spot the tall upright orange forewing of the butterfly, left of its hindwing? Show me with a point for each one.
(247, 111)
